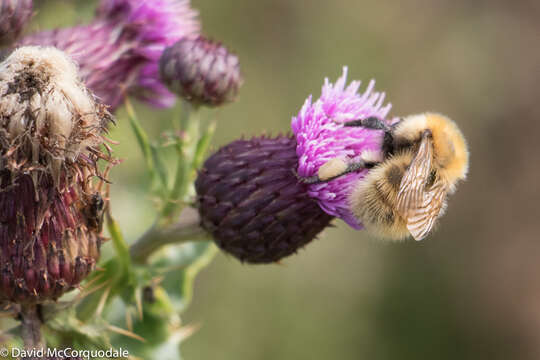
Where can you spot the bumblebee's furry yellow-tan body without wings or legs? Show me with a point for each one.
(373, 200)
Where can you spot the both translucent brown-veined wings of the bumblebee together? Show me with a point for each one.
(419, 207)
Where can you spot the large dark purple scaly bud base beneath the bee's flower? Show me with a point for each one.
(253, 205)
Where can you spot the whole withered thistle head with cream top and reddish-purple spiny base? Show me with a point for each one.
(50, 143)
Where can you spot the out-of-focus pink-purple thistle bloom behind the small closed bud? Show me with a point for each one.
(118, 53)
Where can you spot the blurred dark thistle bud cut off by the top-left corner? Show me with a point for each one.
(14, 15)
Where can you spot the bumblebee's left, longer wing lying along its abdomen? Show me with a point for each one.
(412, 186)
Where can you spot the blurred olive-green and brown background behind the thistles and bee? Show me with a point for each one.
(471, 290)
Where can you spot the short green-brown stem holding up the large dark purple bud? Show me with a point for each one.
(186, 229)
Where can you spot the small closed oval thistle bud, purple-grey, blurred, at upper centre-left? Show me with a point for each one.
(201, 71)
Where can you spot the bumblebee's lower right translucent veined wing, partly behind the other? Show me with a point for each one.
(421, 220)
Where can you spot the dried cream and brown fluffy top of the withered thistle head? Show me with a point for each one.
(49, 120)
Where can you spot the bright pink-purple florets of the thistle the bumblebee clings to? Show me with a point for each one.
(321, 137)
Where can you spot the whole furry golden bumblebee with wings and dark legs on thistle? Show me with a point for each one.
(425, 156)
